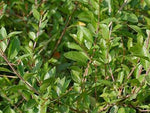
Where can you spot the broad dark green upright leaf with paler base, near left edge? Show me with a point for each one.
(14, 48)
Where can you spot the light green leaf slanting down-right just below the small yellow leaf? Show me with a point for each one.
(86, 33)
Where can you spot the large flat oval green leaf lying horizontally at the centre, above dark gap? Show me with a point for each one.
(76, 56)
